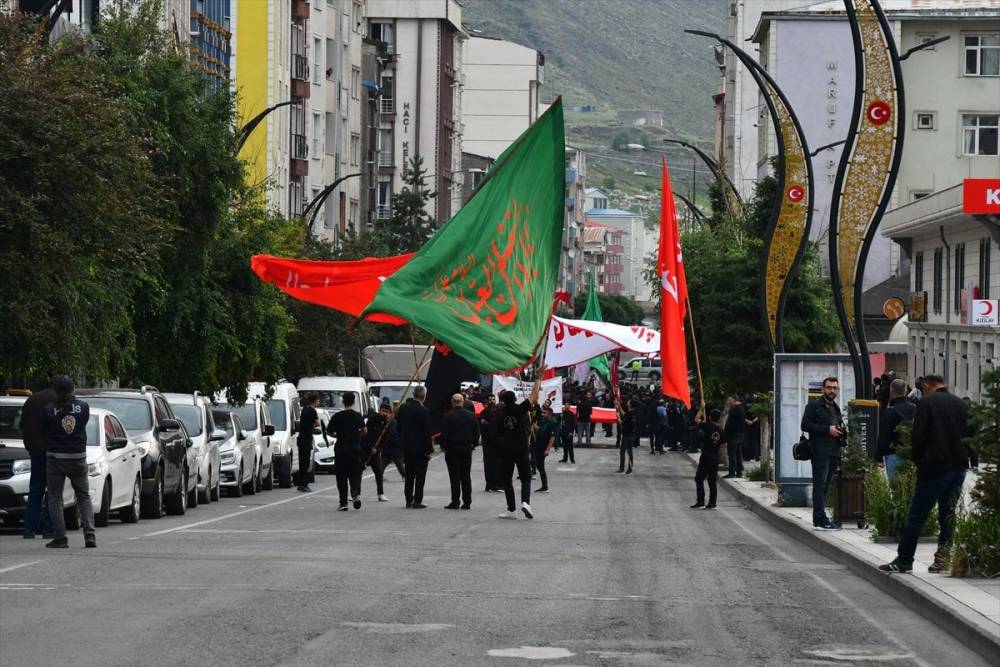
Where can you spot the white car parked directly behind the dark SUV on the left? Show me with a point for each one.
(195, 413)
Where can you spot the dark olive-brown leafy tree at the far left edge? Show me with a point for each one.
(78, 210)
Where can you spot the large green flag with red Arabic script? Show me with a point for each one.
(484, 283)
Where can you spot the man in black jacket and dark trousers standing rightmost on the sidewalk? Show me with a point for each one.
(939, 425)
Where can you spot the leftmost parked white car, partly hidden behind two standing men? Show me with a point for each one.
(15, 468)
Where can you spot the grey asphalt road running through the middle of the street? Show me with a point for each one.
(614, 570)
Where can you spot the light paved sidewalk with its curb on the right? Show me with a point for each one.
(967, 608)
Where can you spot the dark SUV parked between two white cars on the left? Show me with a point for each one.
(168, 458)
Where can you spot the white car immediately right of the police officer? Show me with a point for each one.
(114, 469)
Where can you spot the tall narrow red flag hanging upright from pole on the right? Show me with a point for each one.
(673, 298)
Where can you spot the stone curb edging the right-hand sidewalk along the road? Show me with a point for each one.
(978, 634)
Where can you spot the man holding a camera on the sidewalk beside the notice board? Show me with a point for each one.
(824, 423)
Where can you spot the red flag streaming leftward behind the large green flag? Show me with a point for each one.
(345, 286)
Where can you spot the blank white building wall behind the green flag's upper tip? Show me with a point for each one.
(501, 96)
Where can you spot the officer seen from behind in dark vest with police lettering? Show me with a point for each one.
(65, 424)
